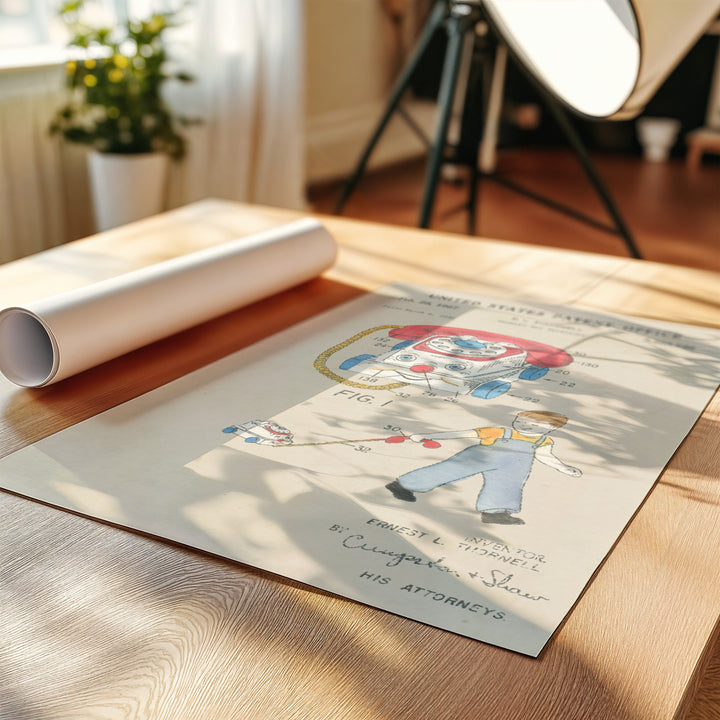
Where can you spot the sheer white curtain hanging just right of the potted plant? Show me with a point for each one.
(249, 143)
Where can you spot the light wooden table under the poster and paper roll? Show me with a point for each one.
(98, 622)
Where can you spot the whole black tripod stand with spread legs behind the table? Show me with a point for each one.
(460, 18)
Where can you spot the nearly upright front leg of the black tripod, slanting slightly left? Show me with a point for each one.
(456, 27)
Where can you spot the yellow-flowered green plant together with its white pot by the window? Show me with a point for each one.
(115, 106)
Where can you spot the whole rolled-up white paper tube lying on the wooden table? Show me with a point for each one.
(50, 339)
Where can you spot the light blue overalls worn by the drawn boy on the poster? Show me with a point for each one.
(505, 466)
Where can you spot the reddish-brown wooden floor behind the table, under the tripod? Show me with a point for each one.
(673, 213)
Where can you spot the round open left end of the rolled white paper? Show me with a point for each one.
(28, 352)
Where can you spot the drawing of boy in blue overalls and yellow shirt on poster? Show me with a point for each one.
(504, 457)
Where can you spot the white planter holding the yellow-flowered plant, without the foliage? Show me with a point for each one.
(126, 187)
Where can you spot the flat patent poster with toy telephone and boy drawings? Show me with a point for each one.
(465, 462)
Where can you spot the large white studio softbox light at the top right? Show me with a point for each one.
(602, 58)
